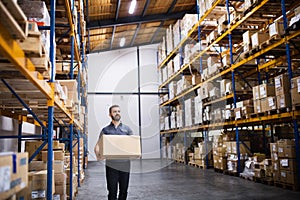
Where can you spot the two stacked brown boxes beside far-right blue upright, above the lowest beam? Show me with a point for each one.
(283, 96)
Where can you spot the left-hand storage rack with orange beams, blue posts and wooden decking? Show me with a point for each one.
(26, 84)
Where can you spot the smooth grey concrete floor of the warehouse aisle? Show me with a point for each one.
(163, 180)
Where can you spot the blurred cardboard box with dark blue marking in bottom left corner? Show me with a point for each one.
(14, 173)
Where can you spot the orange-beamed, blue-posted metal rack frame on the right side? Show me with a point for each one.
(287, 117)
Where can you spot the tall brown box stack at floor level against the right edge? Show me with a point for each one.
(283, 155)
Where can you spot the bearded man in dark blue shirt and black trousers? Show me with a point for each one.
(117, 171)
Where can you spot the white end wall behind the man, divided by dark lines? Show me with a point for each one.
(117, 72)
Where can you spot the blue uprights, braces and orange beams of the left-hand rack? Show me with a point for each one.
(12, 51)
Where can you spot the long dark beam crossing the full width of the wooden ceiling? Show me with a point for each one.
(137, 19)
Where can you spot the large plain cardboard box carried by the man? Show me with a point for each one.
(118, 147)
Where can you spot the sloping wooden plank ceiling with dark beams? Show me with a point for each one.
(108, 21)
